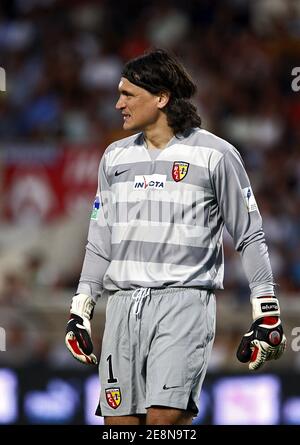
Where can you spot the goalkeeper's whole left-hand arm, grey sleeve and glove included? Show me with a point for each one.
(97, 258)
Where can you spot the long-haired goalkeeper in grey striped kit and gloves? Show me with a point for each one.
(155, 246)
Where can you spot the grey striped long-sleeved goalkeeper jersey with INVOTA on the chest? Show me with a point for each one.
(159, 222)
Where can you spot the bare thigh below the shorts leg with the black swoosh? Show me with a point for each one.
(160, 415)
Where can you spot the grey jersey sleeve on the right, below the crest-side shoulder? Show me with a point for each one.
(243, 221)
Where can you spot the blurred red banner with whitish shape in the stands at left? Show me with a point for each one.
(42, 183)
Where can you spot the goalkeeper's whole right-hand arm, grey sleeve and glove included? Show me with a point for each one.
(265, 339)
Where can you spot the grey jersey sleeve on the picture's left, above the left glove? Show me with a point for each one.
(98, 248)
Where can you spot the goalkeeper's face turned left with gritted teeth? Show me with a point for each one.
(140, 109)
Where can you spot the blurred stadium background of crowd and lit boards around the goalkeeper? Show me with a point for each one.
(63, 60)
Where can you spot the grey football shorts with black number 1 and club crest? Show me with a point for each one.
(155, 349)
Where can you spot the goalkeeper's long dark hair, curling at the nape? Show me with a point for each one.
(158, 71)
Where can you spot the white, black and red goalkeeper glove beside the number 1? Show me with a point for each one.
(78, 332)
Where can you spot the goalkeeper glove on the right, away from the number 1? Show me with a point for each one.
(265, 339)
